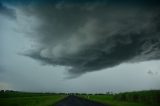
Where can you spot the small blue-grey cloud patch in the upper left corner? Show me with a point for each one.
(7, 11)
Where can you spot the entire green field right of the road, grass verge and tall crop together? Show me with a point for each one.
(142, 98)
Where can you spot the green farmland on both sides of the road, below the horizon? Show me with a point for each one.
(139, 98)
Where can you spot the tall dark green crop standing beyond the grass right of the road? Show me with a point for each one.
(151, 97)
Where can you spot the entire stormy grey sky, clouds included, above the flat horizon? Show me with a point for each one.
(79, 46)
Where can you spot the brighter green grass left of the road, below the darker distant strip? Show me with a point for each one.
(31, 101)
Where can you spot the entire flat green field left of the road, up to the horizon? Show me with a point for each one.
(29, 99)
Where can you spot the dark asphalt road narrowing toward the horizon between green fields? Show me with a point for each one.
(77, 101)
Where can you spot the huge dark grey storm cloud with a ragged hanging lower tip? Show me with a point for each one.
(93, 37)
